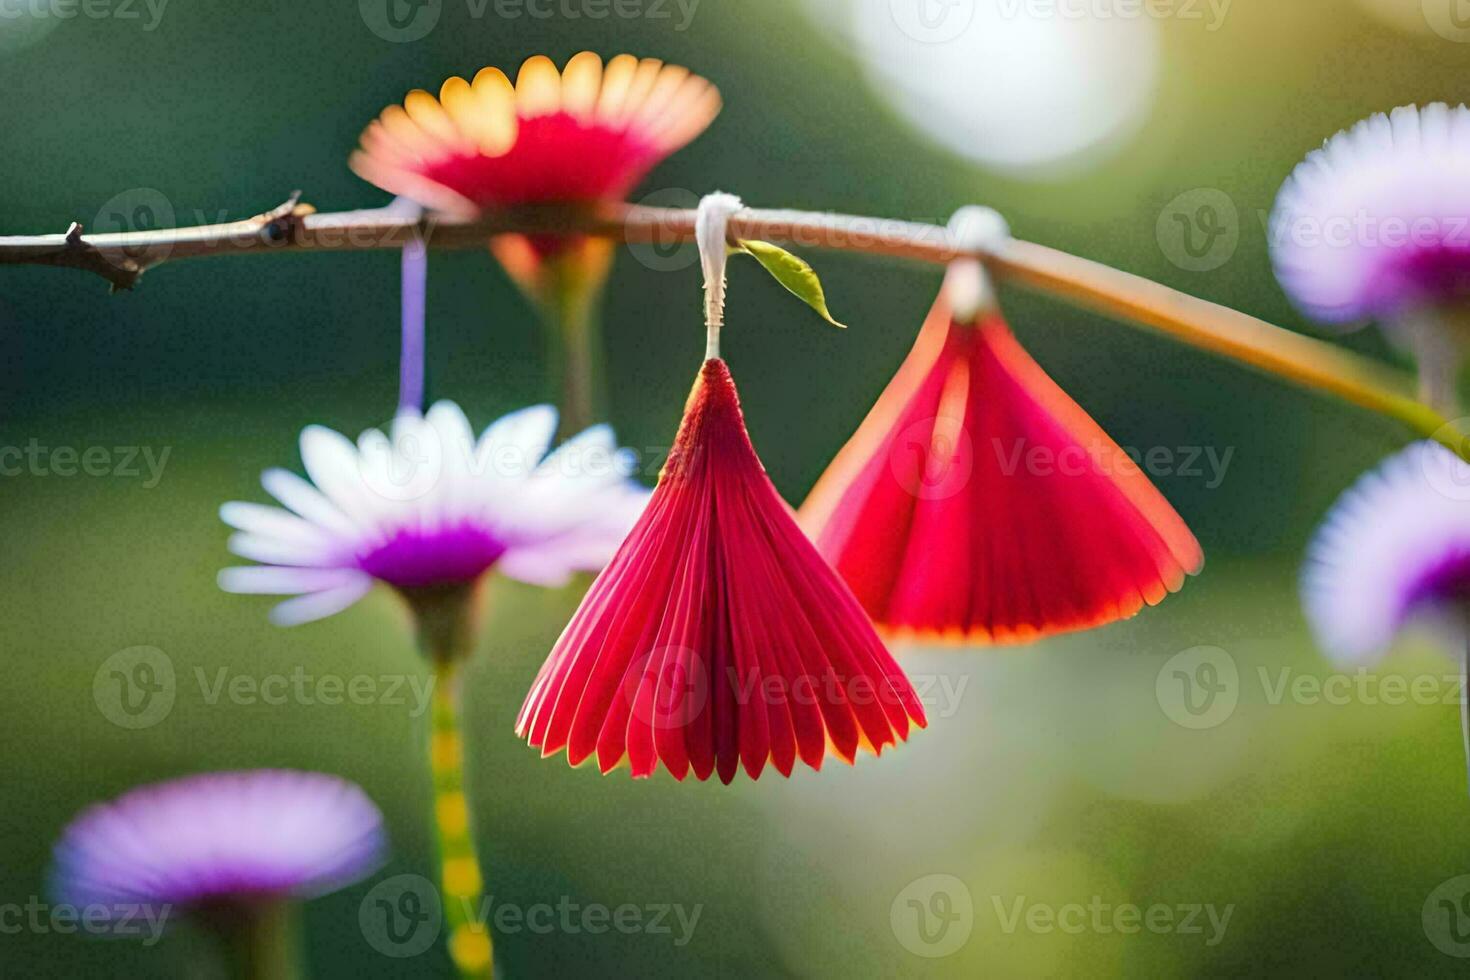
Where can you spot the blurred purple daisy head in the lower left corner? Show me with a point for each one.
(221, 838)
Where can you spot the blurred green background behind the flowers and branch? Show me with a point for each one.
(1055, 775)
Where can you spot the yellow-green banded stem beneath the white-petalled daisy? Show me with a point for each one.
(461, 881)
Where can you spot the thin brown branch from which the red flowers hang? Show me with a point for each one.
(123, 258)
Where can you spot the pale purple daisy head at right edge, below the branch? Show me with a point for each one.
(1394, 549)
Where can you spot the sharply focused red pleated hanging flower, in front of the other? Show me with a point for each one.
(718, 638)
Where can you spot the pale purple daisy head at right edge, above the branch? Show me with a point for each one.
(1377, 224)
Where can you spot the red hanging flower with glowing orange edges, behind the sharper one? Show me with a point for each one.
(980, 503)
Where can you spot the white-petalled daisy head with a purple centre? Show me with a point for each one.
(430, 508)
